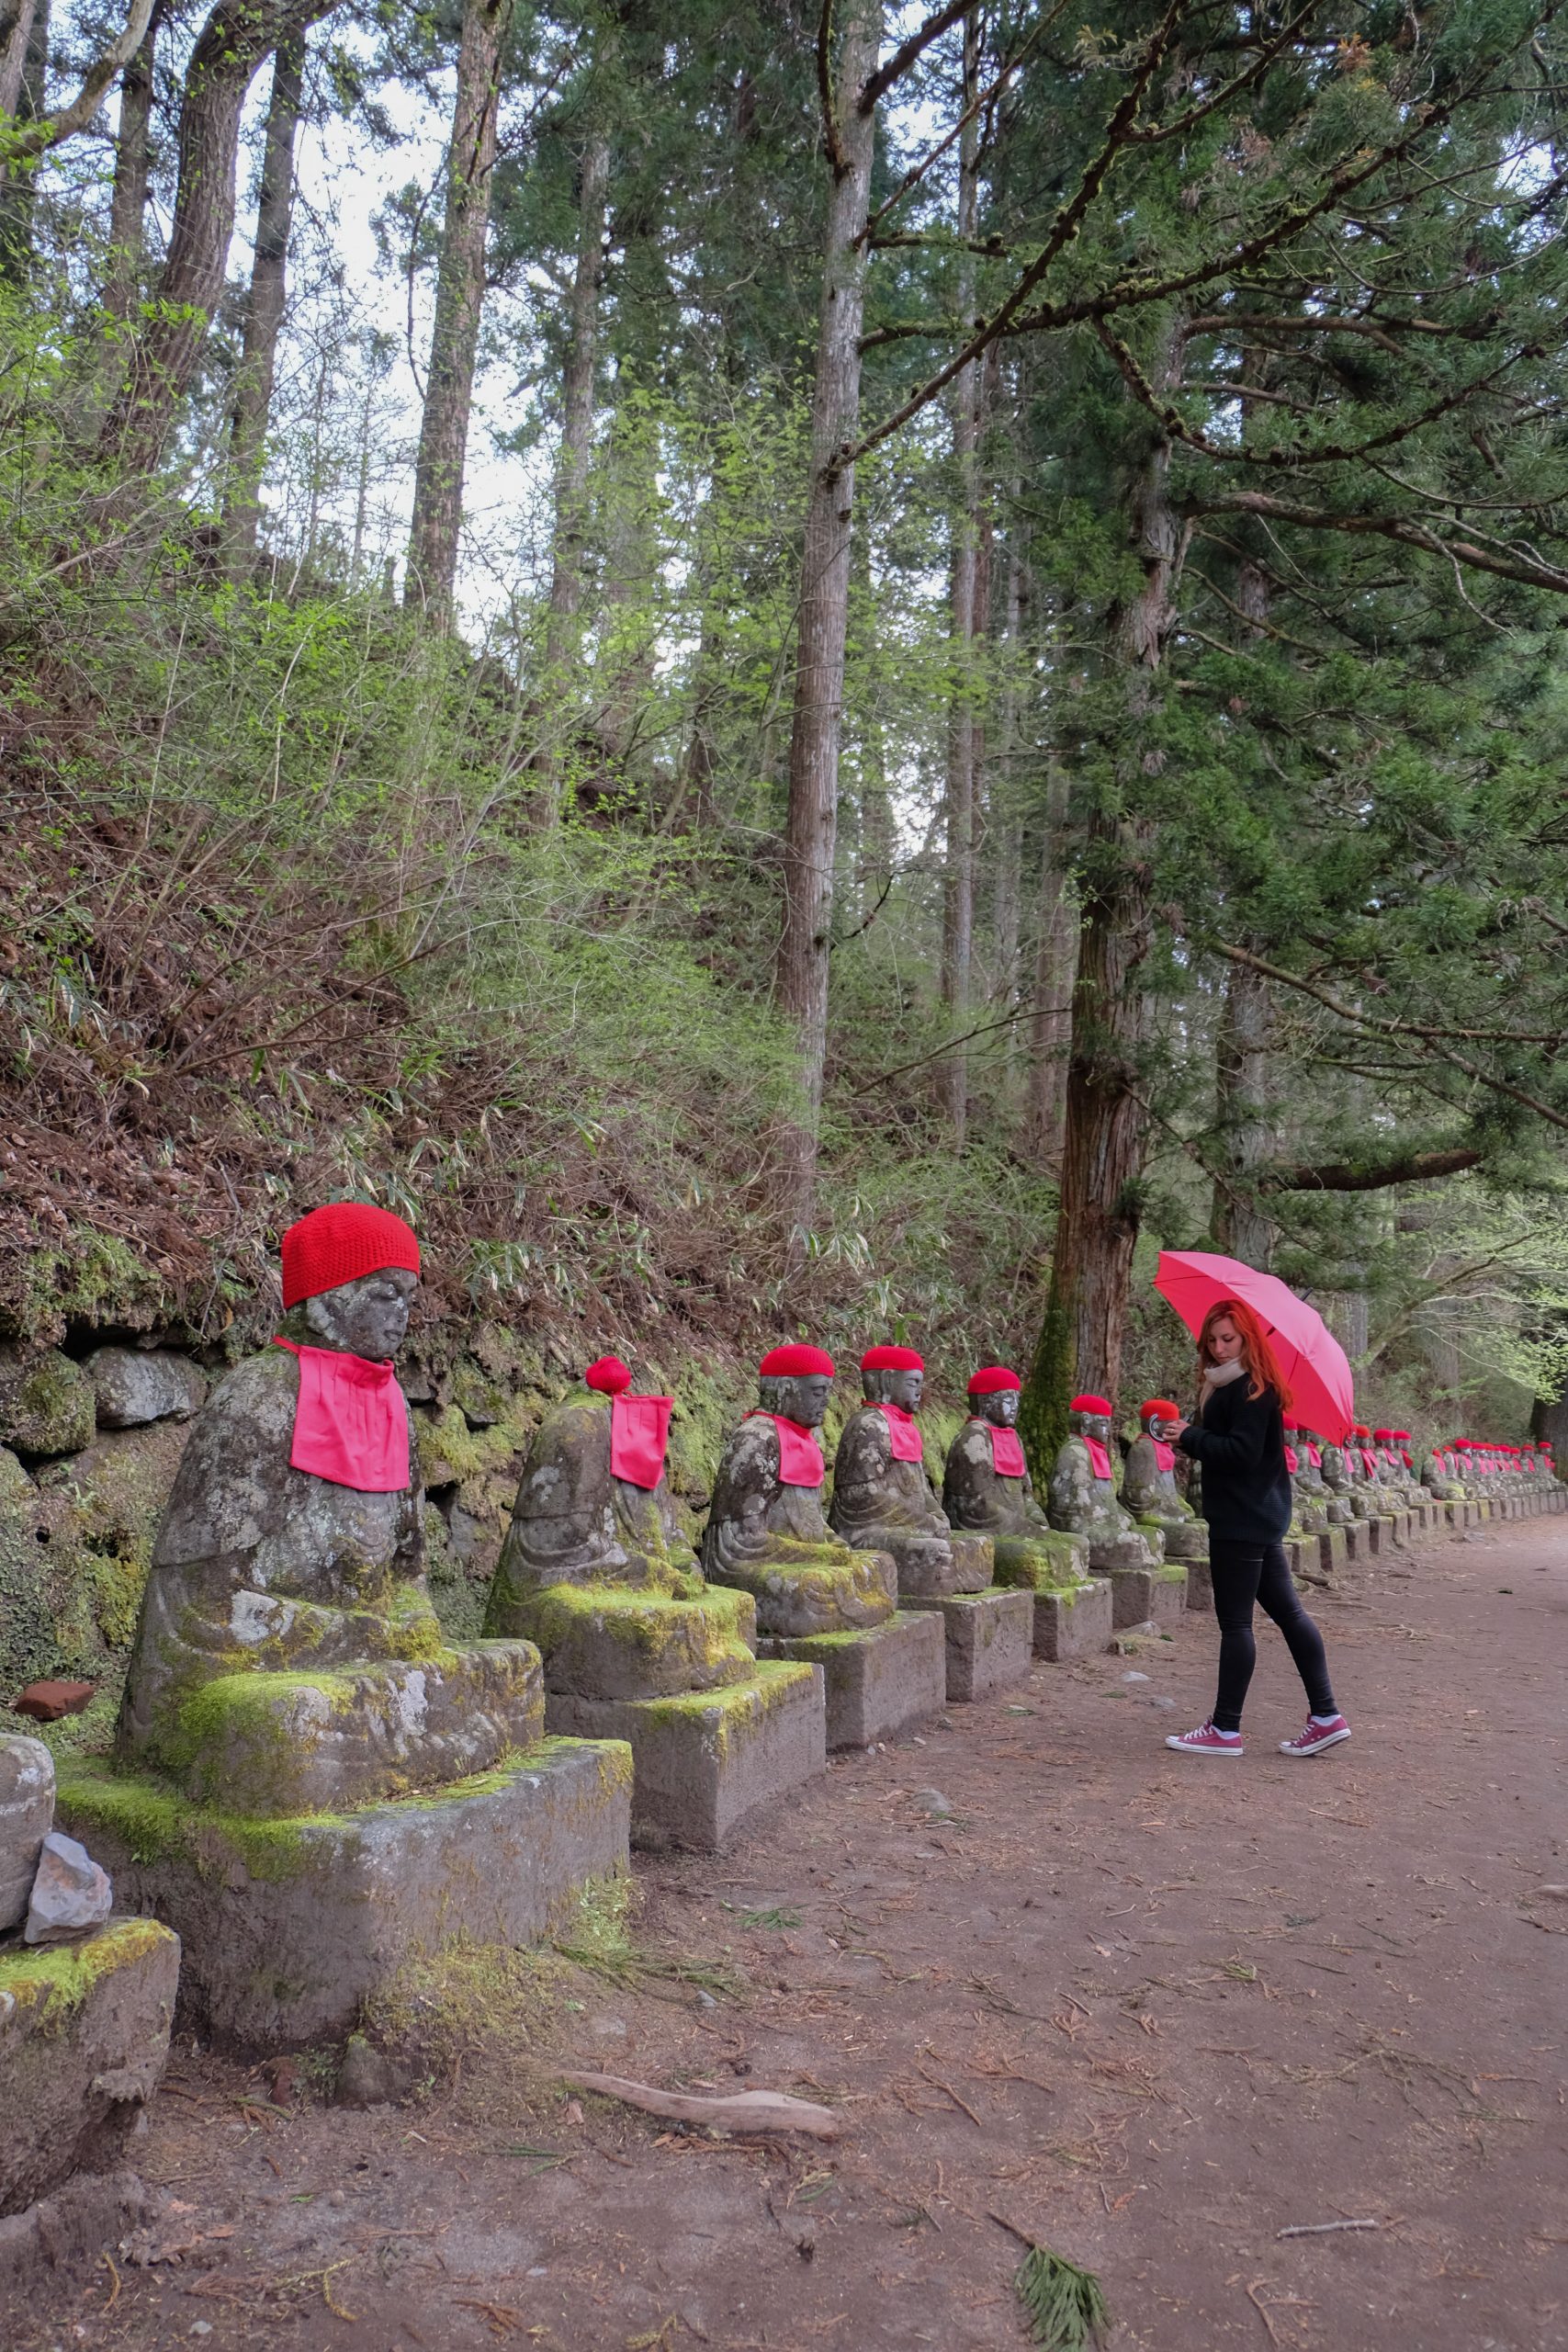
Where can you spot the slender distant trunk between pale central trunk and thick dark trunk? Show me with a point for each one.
(963, 629)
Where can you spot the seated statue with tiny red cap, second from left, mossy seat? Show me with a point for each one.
(596, 1568)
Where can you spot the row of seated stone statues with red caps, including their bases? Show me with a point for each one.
(314, 1784)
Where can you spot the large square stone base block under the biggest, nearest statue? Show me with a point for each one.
(290, 1925)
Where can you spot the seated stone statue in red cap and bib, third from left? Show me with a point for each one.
(765, 1528)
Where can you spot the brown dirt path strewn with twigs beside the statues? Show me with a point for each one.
(1151, 2010)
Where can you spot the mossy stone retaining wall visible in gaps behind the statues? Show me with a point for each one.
(91, 1443)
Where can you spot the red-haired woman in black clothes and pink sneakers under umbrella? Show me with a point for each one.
(1238, 1436)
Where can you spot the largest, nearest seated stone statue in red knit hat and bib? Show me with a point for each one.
(288, 1655)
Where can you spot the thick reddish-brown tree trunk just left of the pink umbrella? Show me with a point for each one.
(1106, 1135)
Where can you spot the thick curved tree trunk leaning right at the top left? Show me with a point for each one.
(166, 352)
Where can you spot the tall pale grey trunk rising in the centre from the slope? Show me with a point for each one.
(824, 613)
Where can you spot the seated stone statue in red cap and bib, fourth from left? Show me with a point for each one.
(883, 1499)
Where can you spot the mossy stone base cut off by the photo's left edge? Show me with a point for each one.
(83, 2043)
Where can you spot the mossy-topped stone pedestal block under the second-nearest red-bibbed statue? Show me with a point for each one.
(709, 1758)
